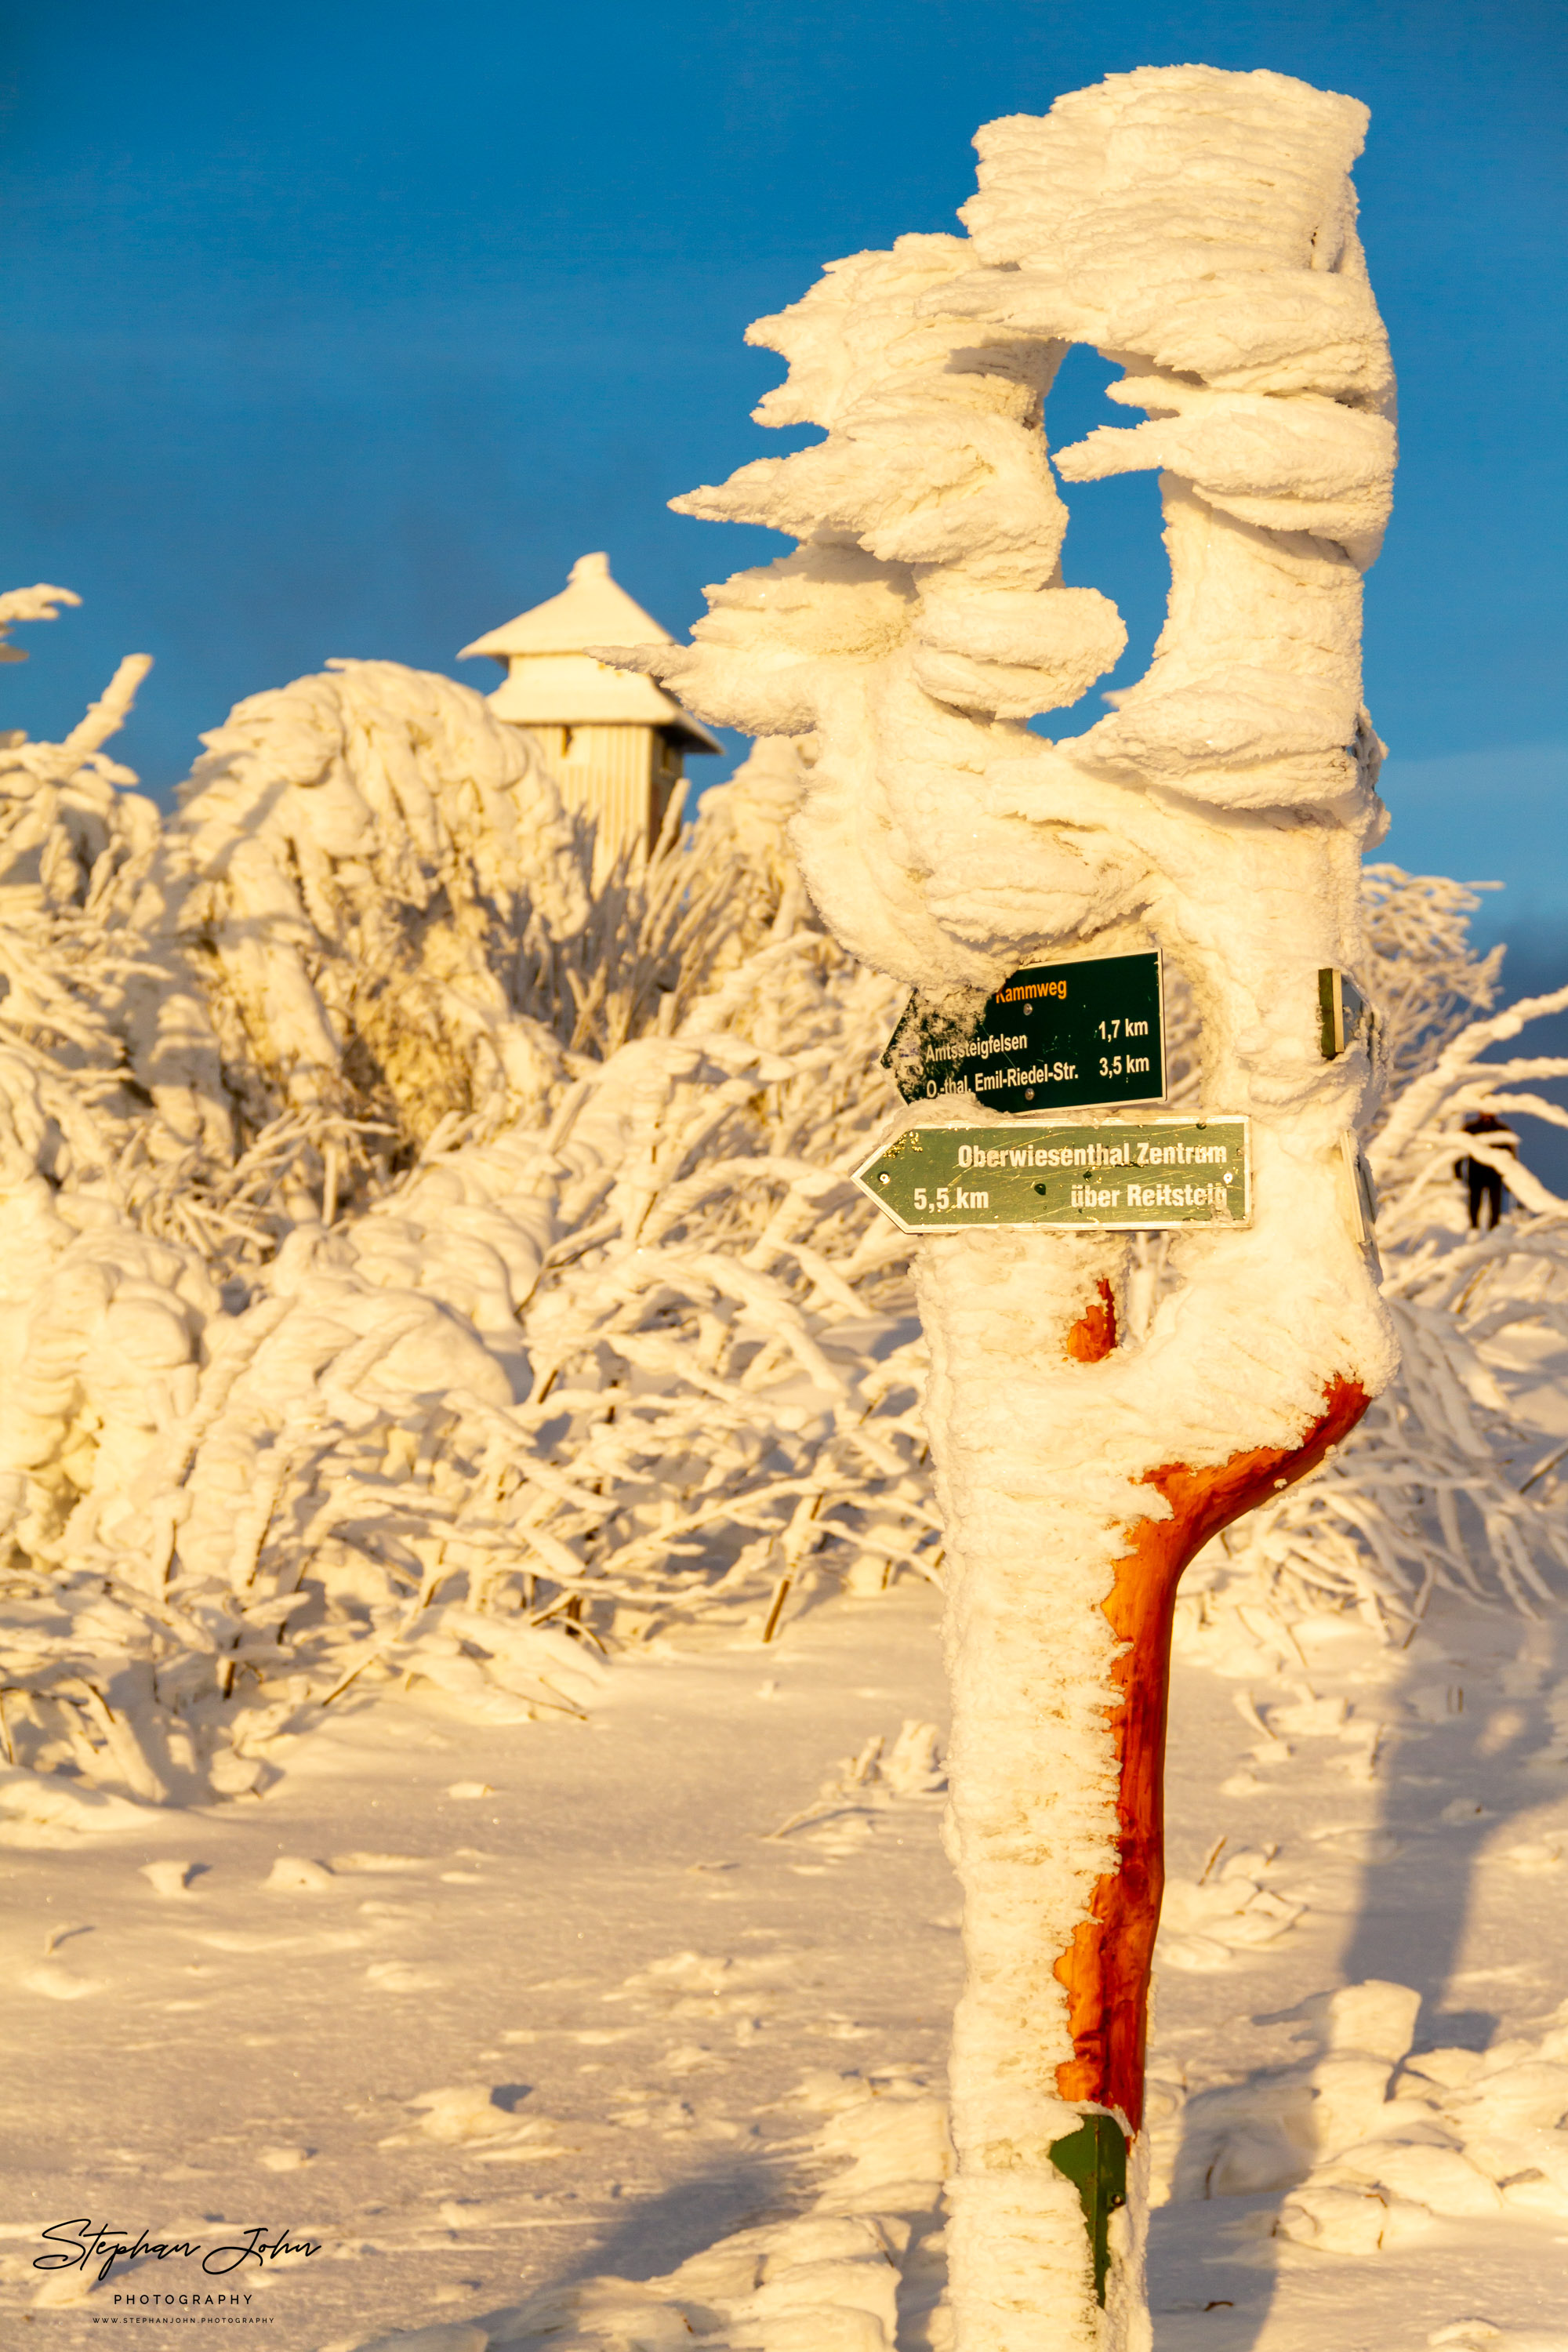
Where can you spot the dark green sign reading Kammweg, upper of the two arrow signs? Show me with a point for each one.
(1052, 1038)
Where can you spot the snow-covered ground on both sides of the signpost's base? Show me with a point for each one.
(521, 2019)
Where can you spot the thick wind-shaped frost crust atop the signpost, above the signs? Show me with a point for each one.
(1200, 229)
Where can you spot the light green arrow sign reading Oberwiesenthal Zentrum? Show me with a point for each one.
(1146, 1172)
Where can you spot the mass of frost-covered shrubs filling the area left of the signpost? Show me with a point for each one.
(450, 1332)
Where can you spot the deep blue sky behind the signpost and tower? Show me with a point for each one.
(344, 330)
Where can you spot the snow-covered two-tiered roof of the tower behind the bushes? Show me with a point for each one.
(556, 683)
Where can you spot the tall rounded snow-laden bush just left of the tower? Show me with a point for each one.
(375, 864)
